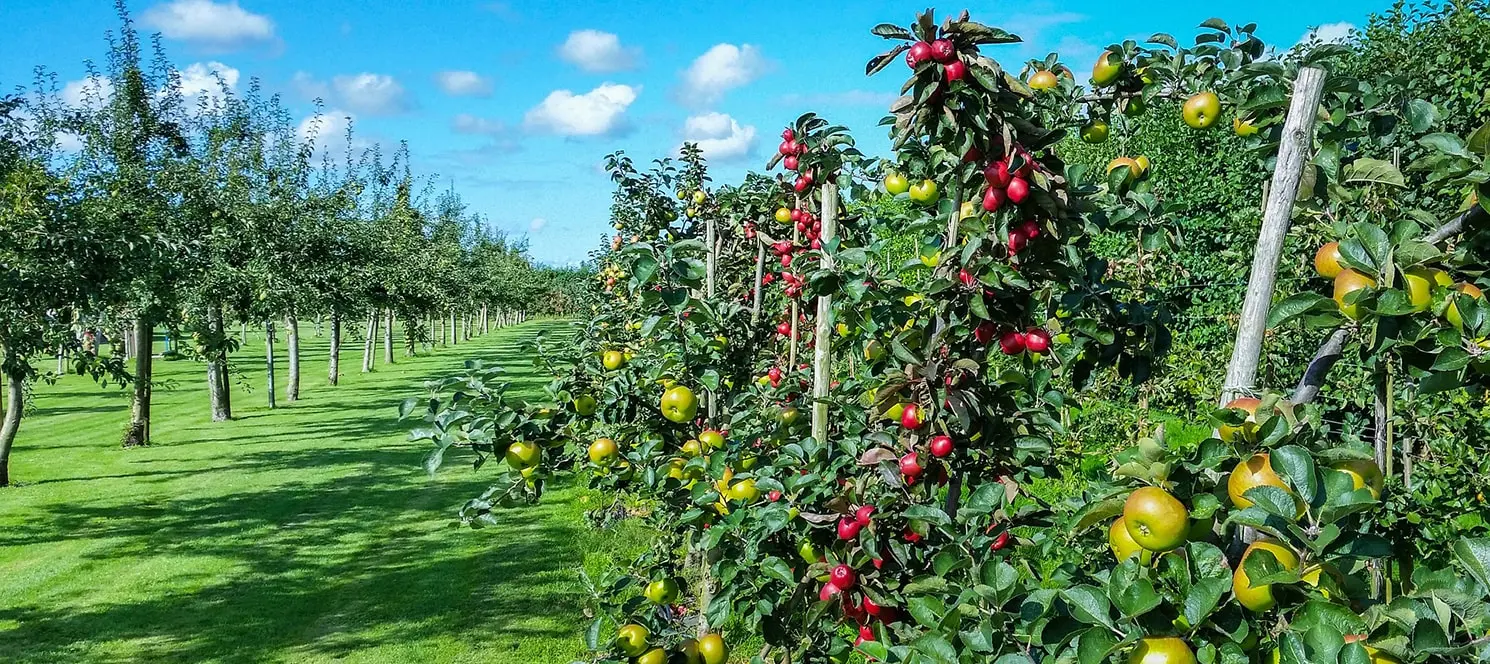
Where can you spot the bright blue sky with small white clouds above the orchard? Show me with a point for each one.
(515, 103)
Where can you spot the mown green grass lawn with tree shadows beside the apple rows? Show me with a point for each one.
(308, 534)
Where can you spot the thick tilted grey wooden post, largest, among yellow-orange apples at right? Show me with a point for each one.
(1294, 154)
